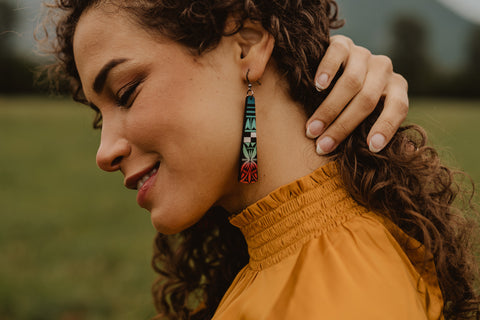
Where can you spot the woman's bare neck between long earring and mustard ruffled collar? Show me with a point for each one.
(284, 153)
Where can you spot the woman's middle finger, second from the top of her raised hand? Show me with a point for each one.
(346, 88)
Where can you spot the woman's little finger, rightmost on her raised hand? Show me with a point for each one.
(394, 113)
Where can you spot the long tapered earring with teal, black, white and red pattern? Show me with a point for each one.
(248, 172)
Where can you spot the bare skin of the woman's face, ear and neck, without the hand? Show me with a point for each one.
(186, 113)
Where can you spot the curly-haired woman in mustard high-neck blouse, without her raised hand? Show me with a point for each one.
(177, 86)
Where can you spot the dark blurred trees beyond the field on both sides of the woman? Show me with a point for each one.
(409, 53)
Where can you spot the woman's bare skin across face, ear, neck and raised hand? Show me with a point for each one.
(130, 139)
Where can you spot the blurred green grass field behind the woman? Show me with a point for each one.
(74, 245)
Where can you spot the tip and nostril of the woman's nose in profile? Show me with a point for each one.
(112, 150)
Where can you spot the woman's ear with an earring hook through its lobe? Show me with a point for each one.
(256, 49)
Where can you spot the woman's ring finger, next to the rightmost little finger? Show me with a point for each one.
(360, 107)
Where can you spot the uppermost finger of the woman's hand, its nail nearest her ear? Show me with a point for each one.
(337, 54)
